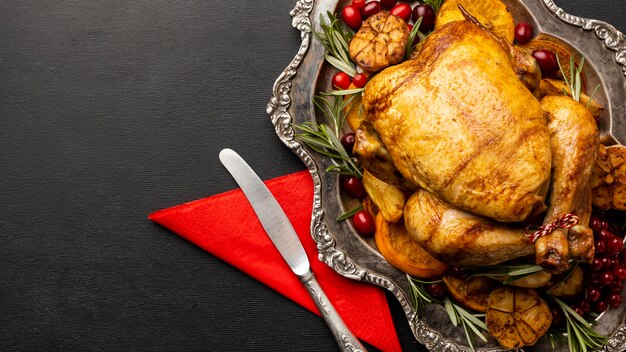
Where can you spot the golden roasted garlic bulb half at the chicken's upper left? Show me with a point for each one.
(380, 42)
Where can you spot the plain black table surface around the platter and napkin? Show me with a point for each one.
(110, 110)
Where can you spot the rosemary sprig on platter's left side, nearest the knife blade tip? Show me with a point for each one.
(321, 139)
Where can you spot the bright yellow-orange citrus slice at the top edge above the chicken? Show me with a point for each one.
(492, 14)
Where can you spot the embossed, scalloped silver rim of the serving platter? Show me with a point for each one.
(283, 113)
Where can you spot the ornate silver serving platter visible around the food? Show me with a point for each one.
(338, 244)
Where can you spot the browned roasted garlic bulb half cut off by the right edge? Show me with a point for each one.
(609, 178)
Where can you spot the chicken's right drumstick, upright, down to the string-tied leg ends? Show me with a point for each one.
(575, 141)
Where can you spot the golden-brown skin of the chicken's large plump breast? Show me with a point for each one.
(458, 122)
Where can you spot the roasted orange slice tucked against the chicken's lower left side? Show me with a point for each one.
(398, 248)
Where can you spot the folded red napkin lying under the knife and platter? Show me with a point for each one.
(225, 225)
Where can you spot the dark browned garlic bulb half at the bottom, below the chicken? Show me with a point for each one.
(517, 317)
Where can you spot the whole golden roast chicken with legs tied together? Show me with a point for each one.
(460, 124)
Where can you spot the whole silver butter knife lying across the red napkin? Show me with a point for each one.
(284, 237)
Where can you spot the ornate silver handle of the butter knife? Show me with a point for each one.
(344, 337)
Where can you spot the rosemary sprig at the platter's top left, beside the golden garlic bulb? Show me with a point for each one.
(335, 39)
